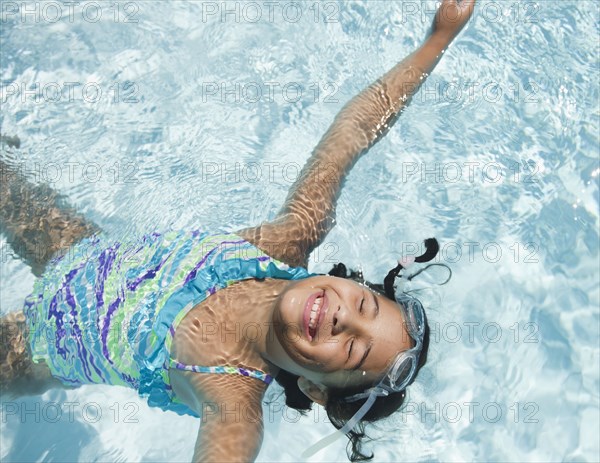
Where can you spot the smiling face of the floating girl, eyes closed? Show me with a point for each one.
(336, 332)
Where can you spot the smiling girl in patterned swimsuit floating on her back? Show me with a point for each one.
(201, 323)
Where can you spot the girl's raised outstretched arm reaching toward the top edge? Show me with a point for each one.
(308, 213)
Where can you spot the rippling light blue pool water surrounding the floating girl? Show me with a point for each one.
(167, 115)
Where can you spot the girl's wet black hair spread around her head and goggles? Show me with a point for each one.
(338, 410)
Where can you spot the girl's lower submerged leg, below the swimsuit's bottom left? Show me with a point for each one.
(18, 374)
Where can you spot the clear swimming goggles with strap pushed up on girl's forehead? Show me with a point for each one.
(404, 367)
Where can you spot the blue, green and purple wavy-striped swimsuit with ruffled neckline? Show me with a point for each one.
(107, 312)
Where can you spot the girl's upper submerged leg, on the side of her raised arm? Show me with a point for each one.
(36, 220)
